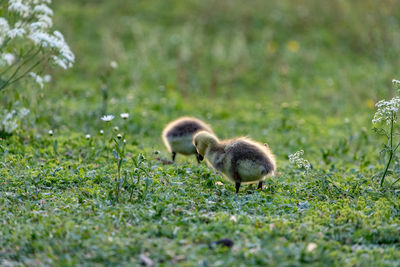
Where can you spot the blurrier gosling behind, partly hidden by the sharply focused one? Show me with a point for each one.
(178, 136)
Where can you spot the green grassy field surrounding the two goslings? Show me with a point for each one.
(298, 75)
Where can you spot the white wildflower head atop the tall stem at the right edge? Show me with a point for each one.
(386, 110)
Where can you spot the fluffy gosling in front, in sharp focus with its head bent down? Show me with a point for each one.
(240, 160)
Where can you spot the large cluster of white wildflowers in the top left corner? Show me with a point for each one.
(29, 23)
